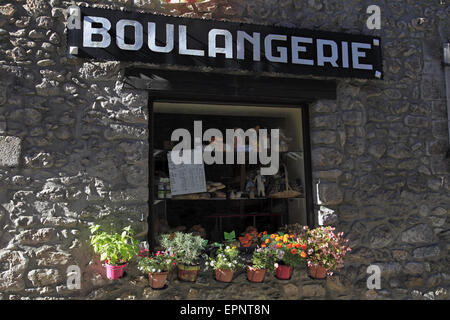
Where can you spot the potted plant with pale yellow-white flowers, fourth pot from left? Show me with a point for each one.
(225, 263)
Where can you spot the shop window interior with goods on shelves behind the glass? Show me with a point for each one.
(237, 198)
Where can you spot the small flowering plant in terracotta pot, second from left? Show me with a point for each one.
(157, 266)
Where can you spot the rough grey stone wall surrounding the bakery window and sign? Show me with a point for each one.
(74, 150)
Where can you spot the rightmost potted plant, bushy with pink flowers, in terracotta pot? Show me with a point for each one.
(325, 251)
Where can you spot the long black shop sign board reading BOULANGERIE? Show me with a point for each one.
(164, 40)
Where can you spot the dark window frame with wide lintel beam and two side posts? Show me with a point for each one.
(214, 88)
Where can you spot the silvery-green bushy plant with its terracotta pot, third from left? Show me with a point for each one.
(187, 248)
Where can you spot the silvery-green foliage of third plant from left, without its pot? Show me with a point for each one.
(186, 246)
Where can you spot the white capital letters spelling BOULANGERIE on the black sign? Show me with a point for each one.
(277, 48)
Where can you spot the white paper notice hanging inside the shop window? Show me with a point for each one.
(186, 178)
